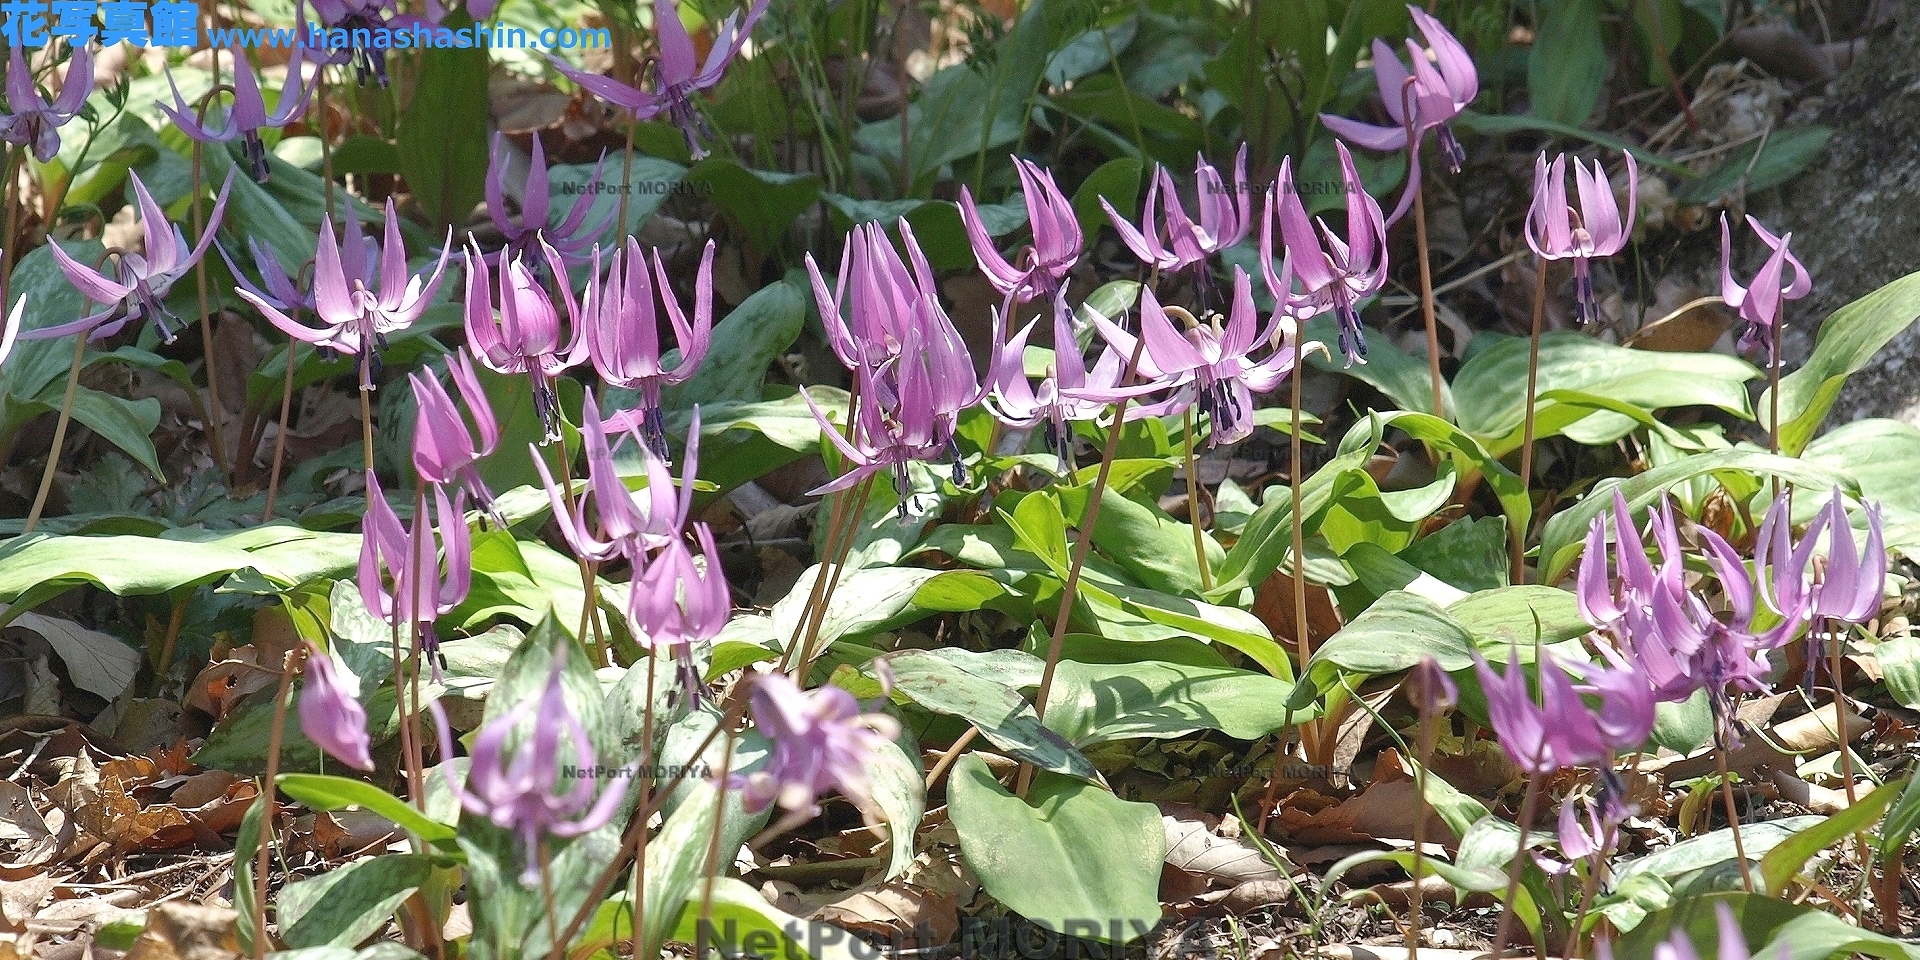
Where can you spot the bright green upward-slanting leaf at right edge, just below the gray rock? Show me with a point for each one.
(1848, 341)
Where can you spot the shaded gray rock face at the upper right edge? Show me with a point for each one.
(1856, 216)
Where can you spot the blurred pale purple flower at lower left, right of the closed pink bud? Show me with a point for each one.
(523, 794)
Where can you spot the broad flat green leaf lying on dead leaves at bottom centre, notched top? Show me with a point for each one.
(1070, 857)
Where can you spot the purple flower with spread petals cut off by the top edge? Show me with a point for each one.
(679, 74)
